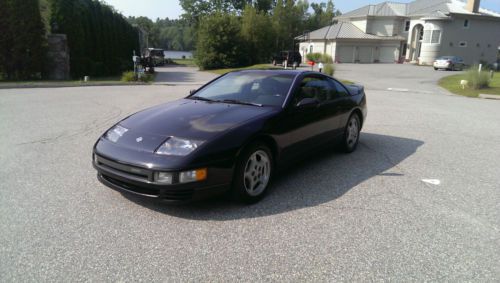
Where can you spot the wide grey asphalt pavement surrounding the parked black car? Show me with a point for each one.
(367, 216)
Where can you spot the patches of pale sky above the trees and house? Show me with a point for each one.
(170, 8)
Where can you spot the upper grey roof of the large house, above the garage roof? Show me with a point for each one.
(415, 8)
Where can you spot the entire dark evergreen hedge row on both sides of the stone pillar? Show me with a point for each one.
(100, 40)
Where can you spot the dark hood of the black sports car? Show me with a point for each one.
(185, 118)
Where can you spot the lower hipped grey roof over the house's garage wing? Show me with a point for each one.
(343, 30)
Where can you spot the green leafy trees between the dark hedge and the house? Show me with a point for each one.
(230, 33)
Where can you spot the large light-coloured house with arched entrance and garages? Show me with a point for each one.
(419, 32)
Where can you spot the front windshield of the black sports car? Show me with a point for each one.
(259, 88)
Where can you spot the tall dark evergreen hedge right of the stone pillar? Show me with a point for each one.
(101, 41)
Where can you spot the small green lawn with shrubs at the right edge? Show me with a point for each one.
(452, 84)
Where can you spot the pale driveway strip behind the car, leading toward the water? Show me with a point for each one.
(181, 75)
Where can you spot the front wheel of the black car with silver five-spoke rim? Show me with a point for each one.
(253, 174)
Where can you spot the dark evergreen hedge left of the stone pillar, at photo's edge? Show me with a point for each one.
(22, 40)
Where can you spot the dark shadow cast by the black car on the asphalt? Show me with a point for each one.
(320, 179)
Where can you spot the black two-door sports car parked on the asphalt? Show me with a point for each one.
(230, 135)
